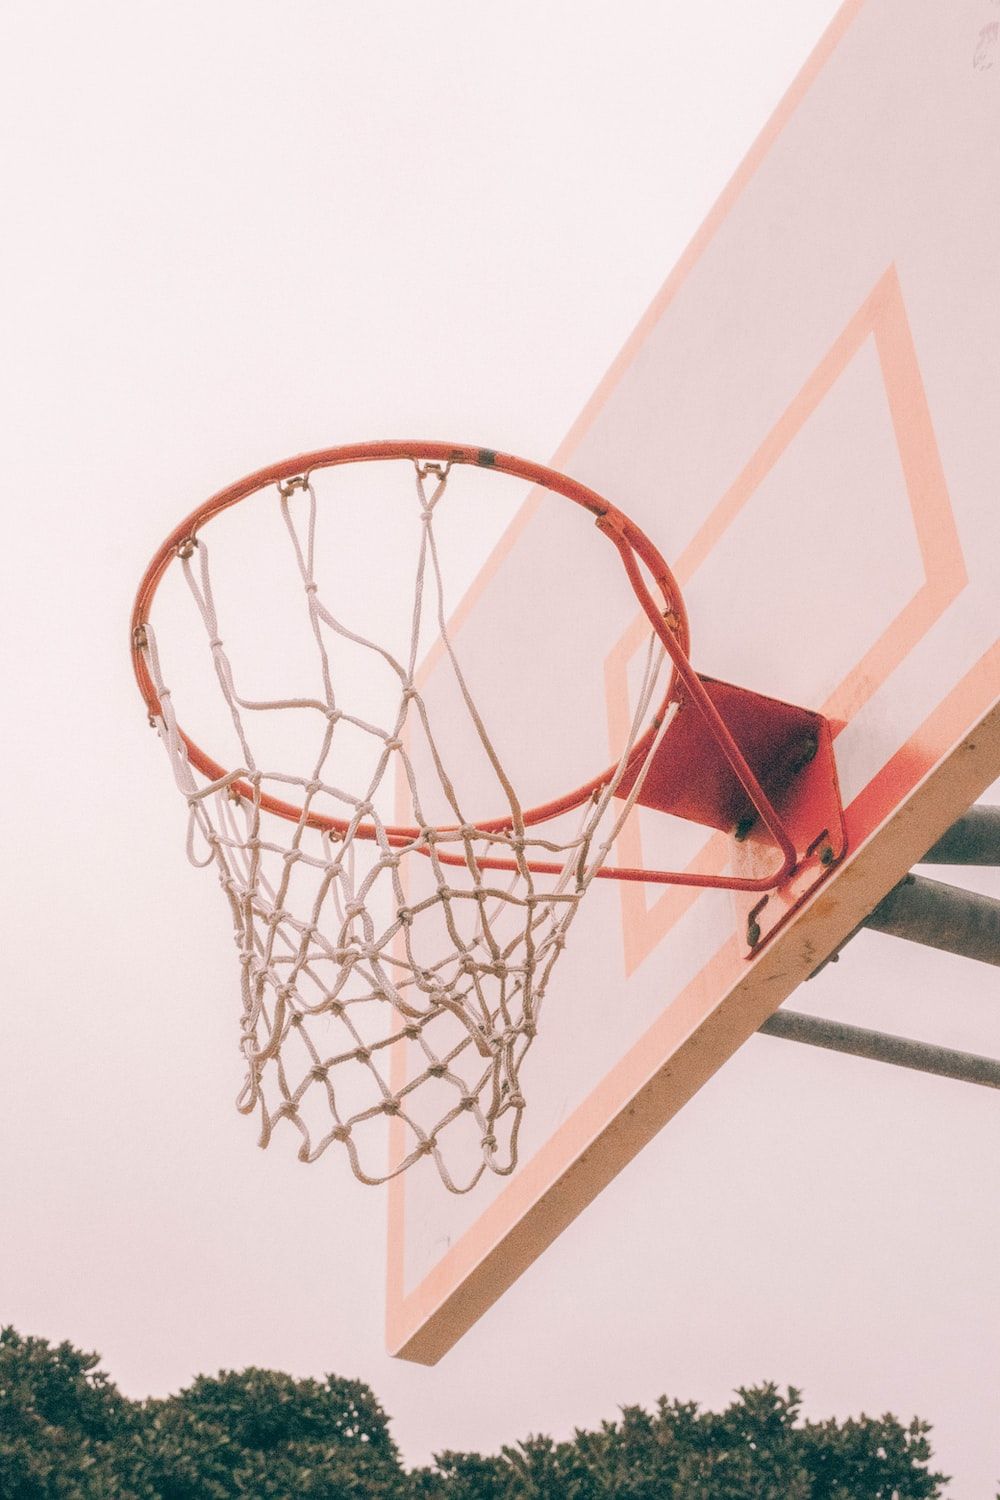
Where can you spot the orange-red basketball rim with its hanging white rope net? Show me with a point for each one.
(389, 952)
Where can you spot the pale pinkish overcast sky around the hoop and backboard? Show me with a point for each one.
(236, 233)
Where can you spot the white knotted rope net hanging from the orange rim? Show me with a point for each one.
(385, 977)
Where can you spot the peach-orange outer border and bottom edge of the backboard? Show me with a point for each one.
(692, 1040)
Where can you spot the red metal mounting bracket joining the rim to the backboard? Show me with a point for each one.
(791, 752)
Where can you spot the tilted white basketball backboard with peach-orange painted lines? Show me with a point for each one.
(806, 425)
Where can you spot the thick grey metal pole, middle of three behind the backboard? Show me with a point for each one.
(941, 917)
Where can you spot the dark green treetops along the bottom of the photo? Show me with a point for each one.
(67, 1432)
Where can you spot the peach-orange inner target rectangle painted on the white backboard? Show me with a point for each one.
(648, 917)
